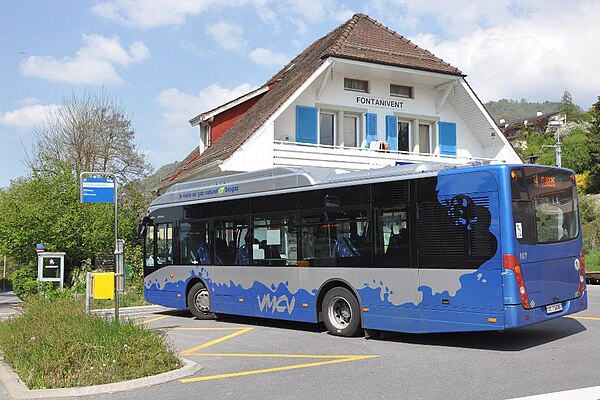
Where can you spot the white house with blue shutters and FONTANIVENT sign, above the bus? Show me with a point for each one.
(360, 97)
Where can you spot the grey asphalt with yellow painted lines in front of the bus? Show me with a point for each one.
(246, 358)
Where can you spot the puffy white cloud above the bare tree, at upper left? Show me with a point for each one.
(93, 64)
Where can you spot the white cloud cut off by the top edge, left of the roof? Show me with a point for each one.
(151, 13)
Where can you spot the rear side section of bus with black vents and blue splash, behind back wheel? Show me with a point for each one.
(460, 264)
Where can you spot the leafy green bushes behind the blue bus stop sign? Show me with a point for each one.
(45, 208)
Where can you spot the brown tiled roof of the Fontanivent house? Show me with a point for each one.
(360, 38)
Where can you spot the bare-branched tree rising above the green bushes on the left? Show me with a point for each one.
(90, 133)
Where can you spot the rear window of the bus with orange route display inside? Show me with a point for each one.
(544, 205)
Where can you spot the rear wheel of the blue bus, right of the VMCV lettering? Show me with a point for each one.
(341, 312)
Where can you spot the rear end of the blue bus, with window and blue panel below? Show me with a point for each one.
(546, 234)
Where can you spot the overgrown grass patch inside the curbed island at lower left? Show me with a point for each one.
(53, 344)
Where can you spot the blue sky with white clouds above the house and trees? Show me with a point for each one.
(167, 61)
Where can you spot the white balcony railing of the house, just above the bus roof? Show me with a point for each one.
(355, 158)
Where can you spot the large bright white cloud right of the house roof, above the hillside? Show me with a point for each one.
(534, 57)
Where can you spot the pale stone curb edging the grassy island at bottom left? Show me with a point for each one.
(18, 390)
